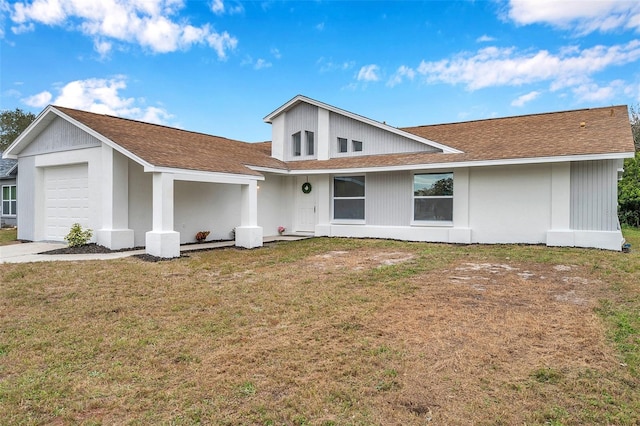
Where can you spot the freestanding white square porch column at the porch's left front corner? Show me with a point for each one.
(162, 240)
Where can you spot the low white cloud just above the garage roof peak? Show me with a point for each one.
(101, 96)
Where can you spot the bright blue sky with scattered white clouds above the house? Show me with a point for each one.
(220, 66)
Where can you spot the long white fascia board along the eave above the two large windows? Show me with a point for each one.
(454, 165)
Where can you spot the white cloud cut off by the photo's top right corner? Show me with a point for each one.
(584, 16)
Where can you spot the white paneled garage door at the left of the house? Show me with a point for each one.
(66, 199)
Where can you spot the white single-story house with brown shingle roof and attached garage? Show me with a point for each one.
(536, 179)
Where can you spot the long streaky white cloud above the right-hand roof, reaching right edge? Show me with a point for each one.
(494, 66)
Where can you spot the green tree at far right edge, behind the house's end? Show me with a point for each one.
(629, 185)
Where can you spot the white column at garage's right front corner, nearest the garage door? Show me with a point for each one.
(115, 233)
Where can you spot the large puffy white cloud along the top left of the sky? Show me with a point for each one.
(148, 23)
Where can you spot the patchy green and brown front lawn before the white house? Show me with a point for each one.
(326, 331)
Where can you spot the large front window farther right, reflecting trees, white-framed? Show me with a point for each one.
(433, 197)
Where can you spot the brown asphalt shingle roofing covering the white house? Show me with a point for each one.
(580, 132)
